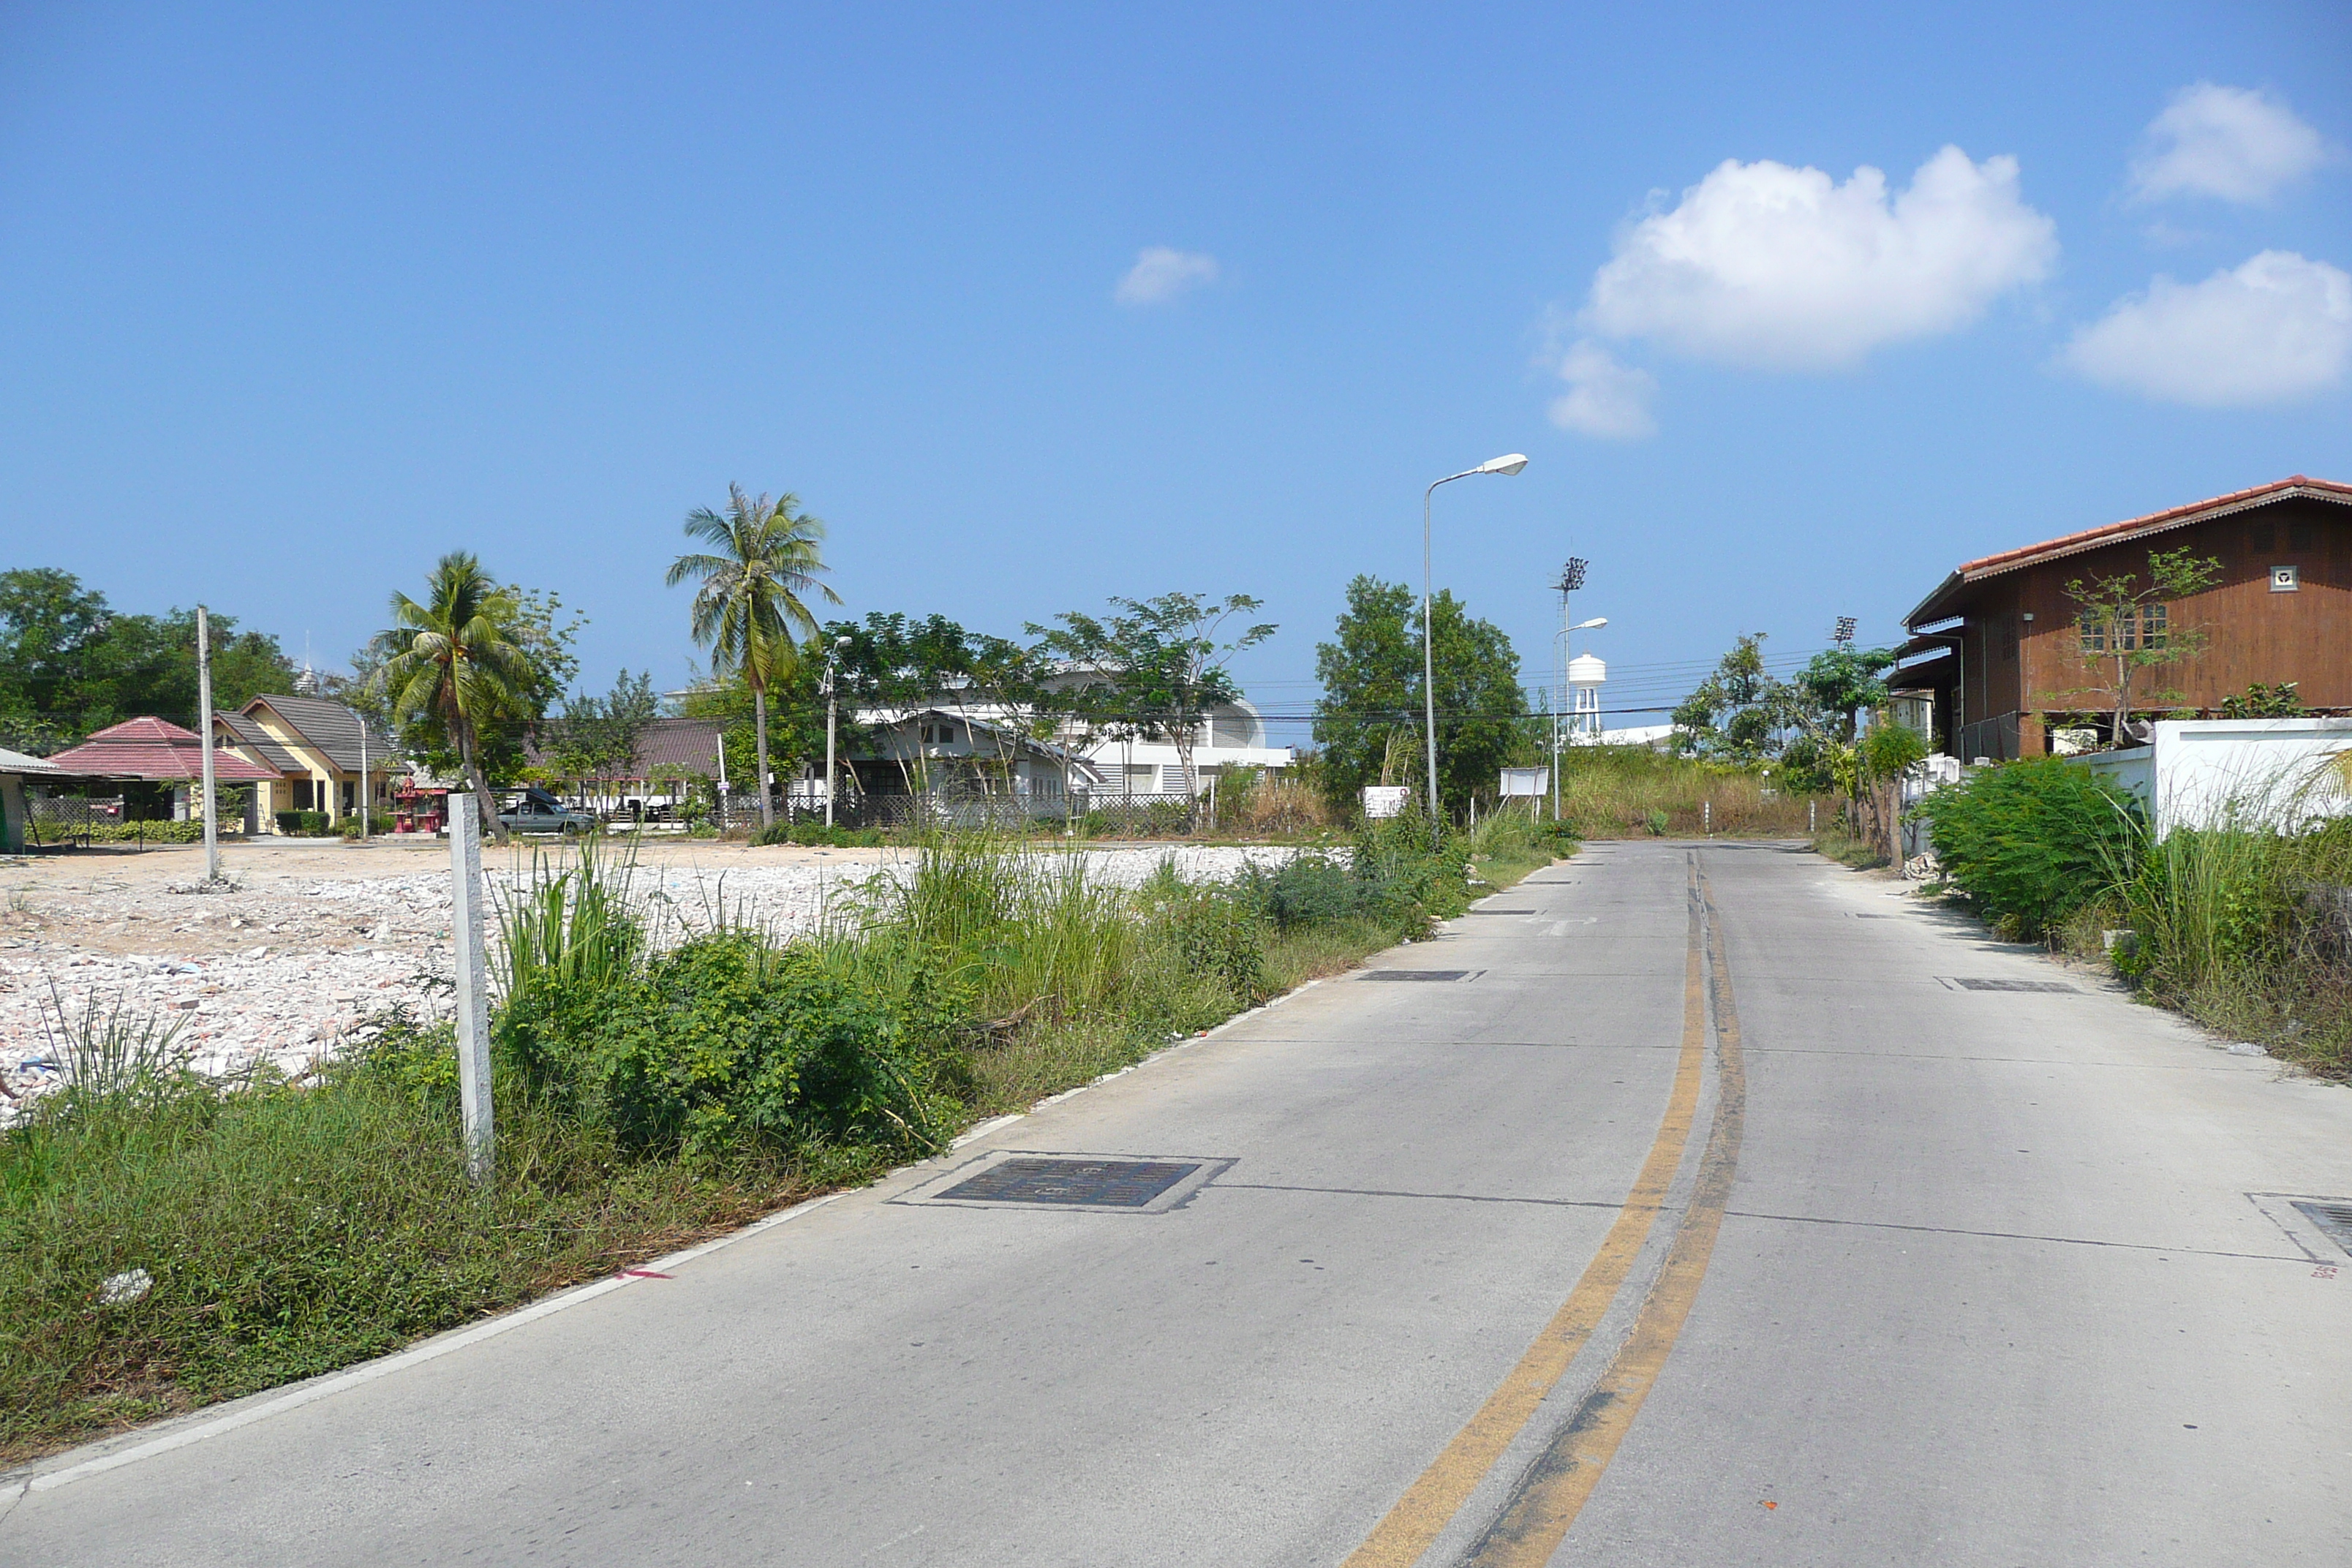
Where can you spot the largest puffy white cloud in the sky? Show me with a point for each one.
(1777, 267)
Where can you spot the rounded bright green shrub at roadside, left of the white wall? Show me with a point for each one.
(2029, 843)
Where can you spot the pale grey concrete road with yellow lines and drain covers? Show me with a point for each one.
(1718, 1207)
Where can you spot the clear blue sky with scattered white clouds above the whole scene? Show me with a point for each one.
(293, 300)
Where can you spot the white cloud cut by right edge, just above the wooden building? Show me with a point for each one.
(2273, 330)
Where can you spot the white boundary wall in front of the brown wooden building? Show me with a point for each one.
(2245, 772)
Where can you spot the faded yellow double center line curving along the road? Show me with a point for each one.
(1556, 1487)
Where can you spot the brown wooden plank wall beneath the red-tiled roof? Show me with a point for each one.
(2252, 634)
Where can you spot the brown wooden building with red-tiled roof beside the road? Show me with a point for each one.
(2003, 655)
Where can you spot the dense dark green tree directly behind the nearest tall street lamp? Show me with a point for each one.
(1372, 709)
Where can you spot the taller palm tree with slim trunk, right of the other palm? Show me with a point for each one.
(763, 558)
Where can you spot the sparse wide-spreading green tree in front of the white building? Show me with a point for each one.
(1154, 669)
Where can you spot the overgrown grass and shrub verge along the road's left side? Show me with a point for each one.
(168, 1242)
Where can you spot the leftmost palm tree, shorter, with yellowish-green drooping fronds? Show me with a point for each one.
(457, 662)
